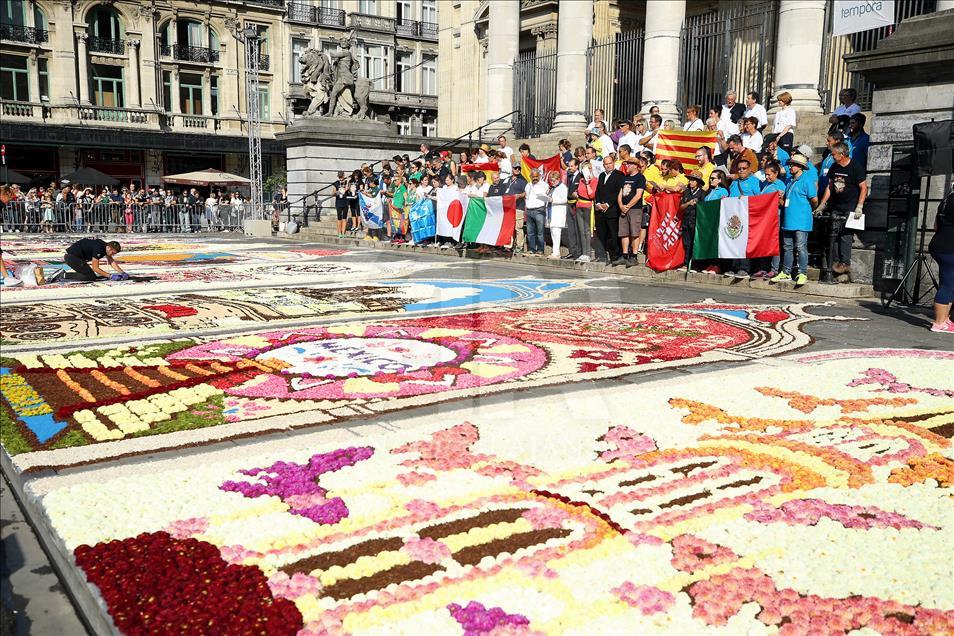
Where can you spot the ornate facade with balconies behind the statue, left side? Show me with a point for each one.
(142, 89)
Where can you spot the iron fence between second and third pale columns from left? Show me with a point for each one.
(614, 78)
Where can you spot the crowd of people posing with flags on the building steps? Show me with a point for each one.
(599, 204)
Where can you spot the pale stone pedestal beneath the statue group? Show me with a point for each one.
(316, 148)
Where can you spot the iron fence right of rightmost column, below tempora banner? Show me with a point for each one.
(834, 72)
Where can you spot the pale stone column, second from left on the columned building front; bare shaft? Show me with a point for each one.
(574, 37)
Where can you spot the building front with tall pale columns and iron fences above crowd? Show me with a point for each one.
(554, 61)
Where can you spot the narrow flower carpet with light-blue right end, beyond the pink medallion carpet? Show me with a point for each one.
(55, 322)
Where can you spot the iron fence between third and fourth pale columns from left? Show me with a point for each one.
(732, 48)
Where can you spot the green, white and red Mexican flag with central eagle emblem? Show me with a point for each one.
(737, 227)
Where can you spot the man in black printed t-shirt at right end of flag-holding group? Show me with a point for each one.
(846, 193)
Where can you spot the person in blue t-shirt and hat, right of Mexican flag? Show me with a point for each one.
(801, 197)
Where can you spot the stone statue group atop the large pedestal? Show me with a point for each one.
(332, 82)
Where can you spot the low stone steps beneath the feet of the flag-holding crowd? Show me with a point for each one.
(325, 232)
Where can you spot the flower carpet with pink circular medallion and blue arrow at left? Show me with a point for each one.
(144, 397)
